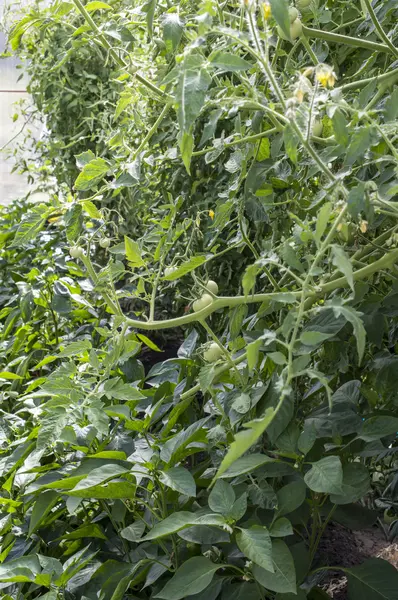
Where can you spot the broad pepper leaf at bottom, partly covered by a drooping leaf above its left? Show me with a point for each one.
(283, 579)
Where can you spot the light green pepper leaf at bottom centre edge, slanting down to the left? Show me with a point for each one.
(191, 578)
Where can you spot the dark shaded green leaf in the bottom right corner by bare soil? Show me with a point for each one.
(375, 579)
